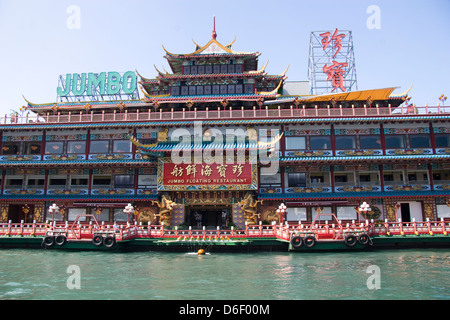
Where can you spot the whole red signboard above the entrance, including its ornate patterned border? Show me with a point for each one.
(206, 176)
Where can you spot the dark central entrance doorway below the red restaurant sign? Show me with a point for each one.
(209, 217)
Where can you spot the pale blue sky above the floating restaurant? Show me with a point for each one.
(411, 46)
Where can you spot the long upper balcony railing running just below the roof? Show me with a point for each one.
(220, 114)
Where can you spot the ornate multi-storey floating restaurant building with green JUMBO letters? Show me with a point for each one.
(219, 142)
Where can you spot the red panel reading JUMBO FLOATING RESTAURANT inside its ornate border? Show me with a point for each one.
(206, 174)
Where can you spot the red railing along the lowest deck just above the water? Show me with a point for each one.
(321, 231)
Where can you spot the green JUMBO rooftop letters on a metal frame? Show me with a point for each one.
(110, 83)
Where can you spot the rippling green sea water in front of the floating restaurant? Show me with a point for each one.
(391, 274)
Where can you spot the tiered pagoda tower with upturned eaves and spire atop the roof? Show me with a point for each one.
(211, 75)
